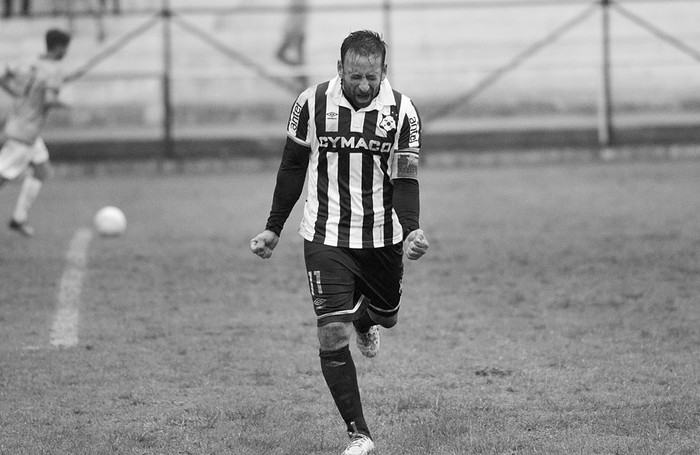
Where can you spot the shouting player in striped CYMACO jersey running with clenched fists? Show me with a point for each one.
(359, 142)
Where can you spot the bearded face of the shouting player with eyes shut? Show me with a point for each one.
(361, 77)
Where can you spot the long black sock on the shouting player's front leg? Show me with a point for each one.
(339, 372)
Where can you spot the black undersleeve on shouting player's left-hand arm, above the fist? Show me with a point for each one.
(289, 186)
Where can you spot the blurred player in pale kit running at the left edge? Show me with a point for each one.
(34, 86)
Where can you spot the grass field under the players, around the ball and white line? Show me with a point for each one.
(556, 313)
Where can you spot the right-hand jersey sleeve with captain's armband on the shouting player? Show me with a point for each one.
(404, 160)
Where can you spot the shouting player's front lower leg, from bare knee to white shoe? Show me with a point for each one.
(339, 372)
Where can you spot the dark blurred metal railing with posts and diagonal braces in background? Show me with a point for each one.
(168, 16)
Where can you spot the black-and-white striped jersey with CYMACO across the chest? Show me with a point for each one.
(354, 157)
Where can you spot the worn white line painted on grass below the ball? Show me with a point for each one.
(64, 332)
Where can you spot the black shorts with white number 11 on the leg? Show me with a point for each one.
(346, 281)
